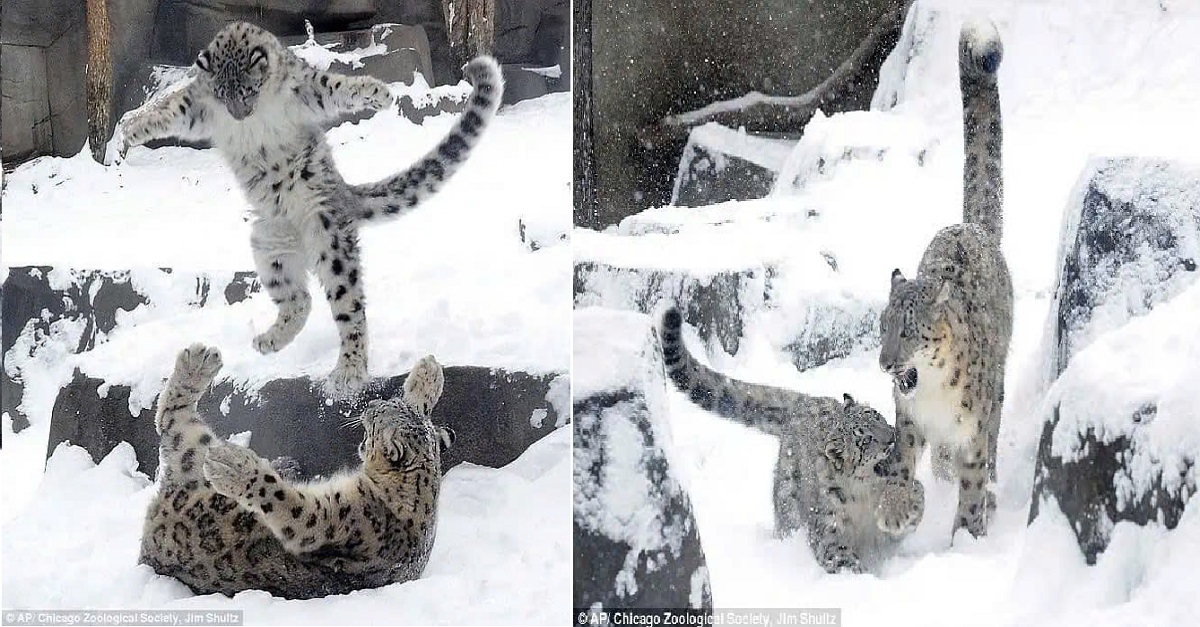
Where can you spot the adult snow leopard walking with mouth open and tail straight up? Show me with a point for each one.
(946, 333)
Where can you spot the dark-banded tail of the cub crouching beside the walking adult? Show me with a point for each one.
(764, 408)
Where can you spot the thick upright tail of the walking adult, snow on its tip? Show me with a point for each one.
(983, 184)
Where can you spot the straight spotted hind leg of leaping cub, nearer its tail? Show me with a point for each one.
(340, 272)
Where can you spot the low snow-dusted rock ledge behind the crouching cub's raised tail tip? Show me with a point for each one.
(713, 304)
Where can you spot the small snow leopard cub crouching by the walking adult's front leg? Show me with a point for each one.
(837, 459)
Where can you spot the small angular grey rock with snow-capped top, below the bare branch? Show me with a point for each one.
(722, 165)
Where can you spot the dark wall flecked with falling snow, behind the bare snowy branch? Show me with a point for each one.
(655, 58)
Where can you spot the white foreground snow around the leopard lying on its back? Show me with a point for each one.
(499, 559)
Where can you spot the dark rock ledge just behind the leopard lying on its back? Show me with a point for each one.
(496, 415)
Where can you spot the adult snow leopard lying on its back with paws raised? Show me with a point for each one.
(225, 521)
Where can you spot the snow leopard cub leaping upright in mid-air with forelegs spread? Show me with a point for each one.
(263, 108)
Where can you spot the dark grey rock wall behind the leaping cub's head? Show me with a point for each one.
(44, 50)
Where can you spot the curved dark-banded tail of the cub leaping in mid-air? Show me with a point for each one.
(401, 193)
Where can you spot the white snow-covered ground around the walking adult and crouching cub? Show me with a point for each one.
(1079, 79)
